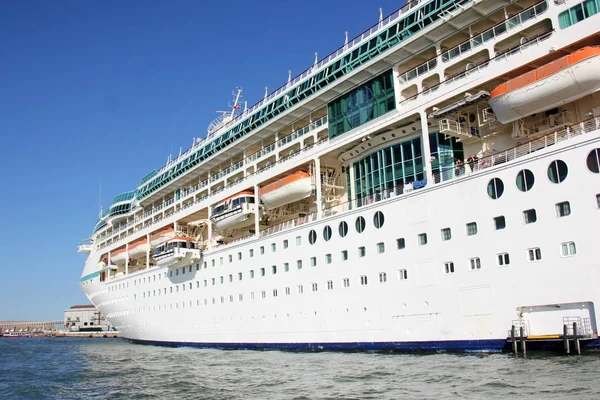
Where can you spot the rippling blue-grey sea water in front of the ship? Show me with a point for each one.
(116, 369)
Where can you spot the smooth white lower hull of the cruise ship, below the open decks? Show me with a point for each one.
(468, 310)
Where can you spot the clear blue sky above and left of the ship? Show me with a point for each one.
(96, 91)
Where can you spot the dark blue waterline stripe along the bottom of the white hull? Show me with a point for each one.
(481, 346)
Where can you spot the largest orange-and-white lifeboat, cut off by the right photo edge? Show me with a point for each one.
(561, 81)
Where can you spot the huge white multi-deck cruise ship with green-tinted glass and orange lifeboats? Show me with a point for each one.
(431, 185)
